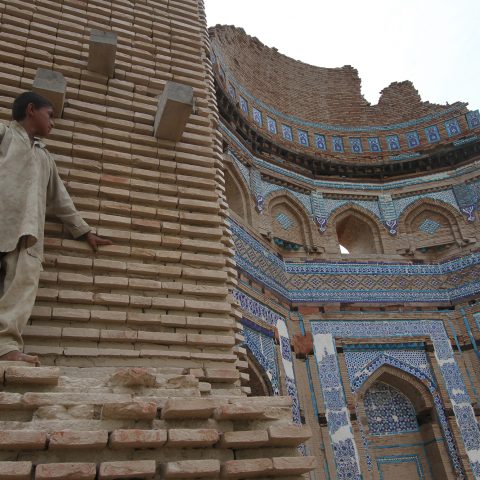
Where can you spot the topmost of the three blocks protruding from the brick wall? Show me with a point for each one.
(102, 51)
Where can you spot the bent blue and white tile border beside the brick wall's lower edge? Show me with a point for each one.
(262, 313)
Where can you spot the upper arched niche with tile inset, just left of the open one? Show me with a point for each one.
(289, 219)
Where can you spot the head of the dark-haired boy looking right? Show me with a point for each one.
(34, 112)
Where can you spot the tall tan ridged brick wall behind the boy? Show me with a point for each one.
(159, 295)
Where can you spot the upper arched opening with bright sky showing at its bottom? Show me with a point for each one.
(357, 230)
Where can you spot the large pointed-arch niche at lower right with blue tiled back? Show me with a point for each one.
(414, 425)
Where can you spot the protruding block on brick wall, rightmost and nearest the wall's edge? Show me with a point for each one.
(175, 105)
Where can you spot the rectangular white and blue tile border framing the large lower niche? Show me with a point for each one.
(345, 452)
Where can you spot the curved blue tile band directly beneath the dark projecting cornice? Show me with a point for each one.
(347, 186)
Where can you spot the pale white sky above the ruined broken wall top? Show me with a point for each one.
(433, 43)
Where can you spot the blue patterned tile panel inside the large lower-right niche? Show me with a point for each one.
(388, 411)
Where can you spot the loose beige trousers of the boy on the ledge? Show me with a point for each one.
(19, 276)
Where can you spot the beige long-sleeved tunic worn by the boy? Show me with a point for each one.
(29, 184)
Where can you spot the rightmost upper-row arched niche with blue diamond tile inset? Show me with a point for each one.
(433, 228)
